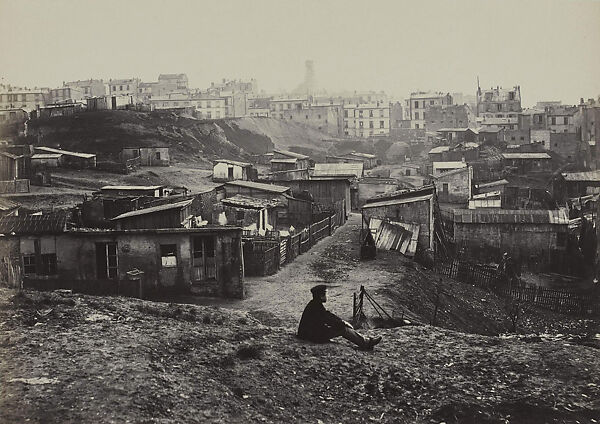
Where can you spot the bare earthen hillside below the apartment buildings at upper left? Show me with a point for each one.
(190, 140)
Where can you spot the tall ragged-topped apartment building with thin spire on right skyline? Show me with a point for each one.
(499, 107)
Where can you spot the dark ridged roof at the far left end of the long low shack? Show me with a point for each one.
(53, 223)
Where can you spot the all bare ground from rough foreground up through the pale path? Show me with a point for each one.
(73, 358)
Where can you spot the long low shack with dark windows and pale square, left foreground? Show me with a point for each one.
(205, 261)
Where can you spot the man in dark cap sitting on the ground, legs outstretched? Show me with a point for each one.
(319, 325)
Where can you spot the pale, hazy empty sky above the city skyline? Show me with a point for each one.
(551, 48)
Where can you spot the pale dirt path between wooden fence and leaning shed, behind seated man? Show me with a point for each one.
(279, 299)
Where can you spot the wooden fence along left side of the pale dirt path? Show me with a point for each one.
(266, 255)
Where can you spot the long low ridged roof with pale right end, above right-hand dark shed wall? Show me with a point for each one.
(495, 216)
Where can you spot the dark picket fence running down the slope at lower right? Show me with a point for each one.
(563, 301)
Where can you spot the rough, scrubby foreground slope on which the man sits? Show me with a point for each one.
(73, 358)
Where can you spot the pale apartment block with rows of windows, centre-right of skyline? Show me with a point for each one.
(366, 120)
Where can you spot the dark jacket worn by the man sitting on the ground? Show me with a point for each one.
(318, 324)
